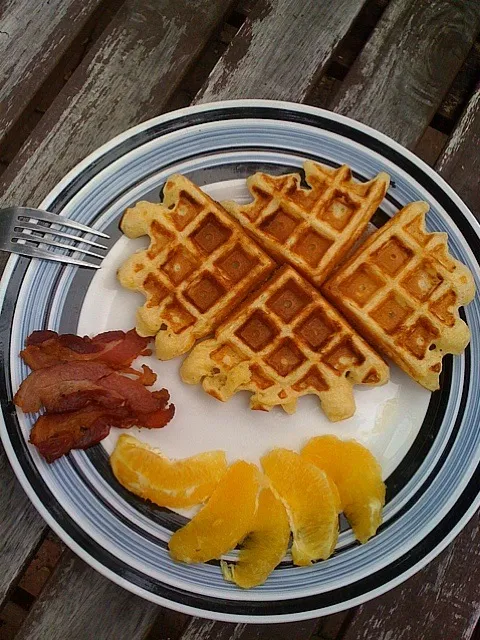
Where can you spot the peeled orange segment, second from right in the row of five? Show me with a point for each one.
(310, 503)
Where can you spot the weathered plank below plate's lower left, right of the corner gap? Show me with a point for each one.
(79, 603)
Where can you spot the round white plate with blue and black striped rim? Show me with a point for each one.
(428, 444)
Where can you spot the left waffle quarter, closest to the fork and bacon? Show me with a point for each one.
(199, 265)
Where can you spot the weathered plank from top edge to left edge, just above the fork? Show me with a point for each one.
(127, 77)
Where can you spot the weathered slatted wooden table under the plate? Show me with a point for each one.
(74, 73)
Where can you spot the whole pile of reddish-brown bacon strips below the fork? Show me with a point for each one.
(83, 395)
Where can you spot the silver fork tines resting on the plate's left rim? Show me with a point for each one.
(29, 232)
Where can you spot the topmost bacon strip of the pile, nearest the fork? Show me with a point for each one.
(115, 348)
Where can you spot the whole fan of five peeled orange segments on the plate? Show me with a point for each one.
(302, 494)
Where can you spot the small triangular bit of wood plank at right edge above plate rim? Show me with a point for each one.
(460, 161)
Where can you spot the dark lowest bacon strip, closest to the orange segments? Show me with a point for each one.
(55, 435)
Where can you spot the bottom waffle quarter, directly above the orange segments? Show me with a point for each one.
(283, 342)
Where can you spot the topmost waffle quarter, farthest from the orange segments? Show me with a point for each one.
(311, 229)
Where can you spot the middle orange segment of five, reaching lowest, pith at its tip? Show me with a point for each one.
(264, 547)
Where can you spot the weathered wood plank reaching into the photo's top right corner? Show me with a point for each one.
(408, 64)
